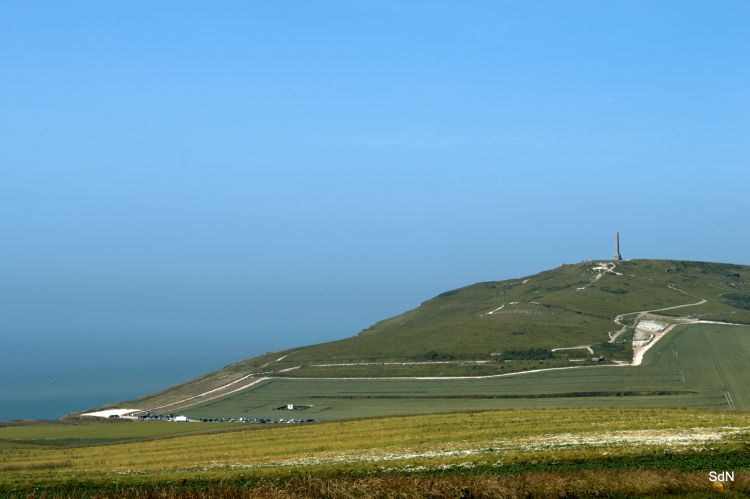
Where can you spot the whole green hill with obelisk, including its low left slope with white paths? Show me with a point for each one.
(574, 315)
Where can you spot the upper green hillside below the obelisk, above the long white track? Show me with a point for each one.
(569, 306)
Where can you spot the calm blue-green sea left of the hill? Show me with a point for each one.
(48, 377)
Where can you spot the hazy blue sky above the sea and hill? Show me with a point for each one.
(271, 174)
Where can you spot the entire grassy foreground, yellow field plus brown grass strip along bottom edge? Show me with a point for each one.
(483, 454)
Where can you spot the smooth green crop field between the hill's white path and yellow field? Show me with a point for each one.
(693, 366)
